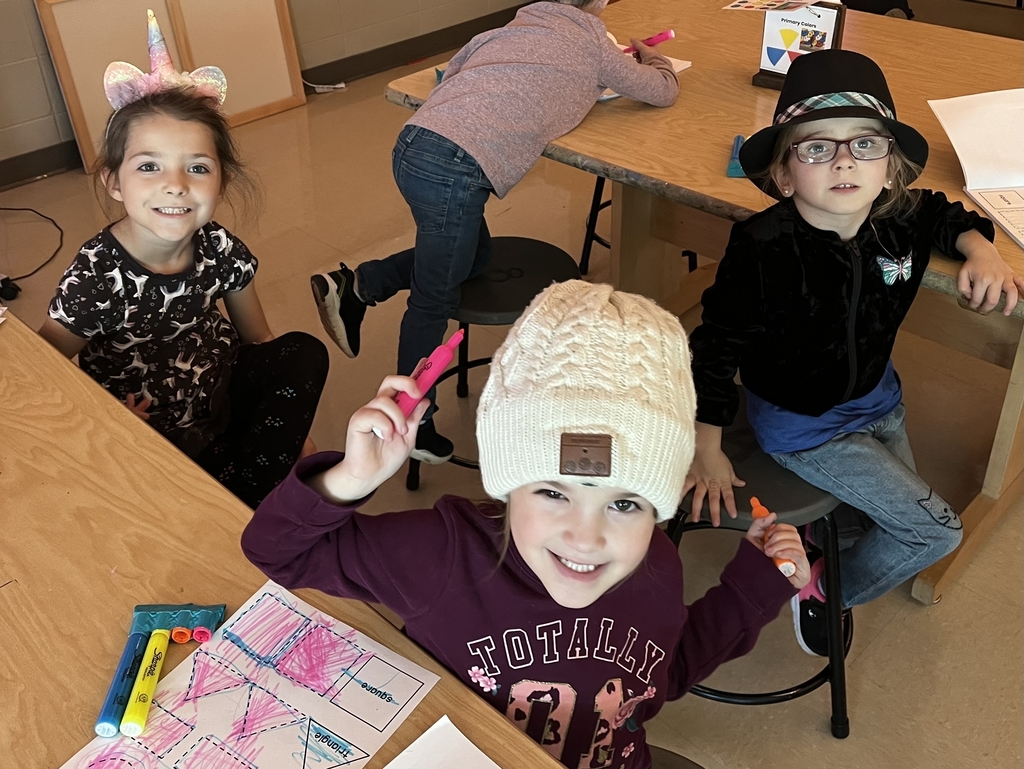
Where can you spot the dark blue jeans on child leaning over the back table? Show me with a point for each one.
(447, 191)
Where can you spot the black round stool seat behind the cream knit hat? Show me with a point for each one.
(520, 270)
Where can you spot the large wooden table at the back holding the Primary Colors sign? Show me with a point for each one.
(670, 185)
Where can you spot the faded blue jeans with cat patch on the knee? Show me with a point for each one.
(873, 469)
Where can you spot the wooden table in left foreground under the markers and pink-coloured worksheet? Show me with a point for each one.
(99, 514)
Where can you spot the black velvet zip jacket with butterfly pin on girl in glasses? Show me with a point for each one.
(808, 319)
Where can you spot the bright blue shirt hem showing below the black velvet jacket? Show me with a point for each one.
(783, 432)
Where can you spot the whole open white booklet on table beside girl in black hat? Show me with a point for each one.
(988, 133)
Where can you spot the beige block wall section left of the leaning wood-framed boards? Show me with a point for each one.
(33, 115)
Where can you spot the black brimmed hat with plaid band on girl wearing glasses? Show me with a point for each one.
(830, 84)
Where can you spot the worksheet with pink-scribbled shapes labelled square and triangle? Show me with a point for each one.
(280, 687)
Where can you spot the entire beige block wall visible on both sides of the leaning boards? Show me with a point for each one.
(33, 115)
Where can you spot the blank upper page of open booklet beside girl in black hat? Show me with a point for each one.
(988, 133)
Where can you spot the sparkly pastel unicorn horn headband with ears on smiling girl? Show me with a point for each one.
(125, 83)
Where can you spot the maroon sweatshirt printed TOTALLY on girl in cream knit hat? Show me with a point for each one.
(581, 682)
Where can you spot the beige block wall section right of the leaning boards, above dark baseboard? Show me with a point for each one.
(329, 30)
